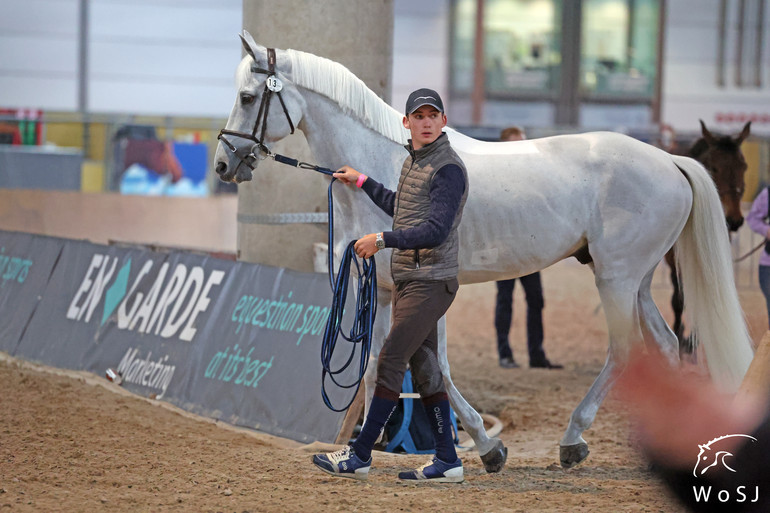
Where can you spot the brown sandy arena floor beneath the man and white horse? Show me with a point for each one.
(74, 442)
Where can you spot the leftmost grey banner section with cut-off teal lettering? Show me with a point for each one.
(26, 263)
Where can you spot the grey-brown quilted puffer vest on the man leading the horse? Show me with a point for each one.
(412, 207)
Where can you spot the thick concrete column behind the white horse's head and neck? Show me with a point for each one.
(358, 35)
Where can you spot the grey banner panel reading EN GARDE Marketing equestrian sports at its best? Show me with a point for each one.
(233, 341)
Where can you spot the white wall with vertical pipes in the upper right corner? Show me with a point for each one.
(690, 89)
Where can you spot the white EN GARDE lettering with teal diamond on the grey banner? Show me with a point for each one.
(172, 304)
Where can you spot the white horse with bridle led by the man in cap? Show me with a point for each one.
(611, 201)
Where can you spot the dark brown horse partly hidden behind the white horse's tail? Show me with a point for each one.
(722, 156)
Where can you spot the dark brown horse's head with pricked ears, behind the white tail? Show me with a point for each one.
(723, 157)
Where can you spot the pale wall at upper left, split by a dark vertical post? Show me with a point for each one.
(154, 57)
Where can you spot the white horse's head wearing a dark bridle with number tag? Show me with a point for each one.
(268, 107)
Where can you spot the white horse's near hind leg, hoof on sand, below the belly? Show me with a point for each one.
(619, 299)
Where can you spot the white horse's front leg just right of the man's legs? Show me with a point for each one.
(492, 451)
